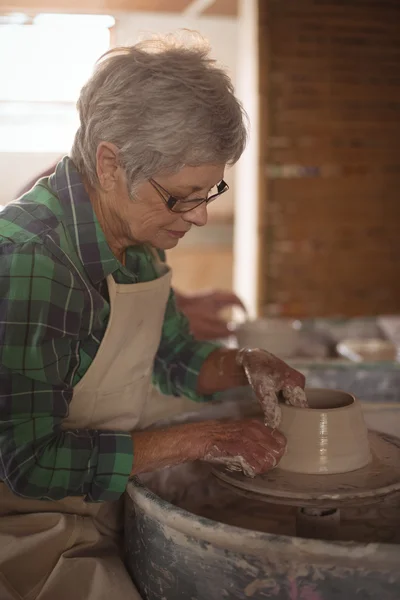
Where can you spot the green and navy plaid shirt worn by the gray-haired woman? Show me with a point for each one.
(54, 310)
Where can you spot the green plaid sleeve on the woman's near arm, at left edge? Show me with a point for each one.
(40, 318)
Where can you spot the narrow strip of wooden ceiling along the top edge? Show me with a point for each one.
(226, 8)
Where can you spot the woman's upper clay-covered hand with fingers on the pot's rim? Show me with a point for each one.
(269, 376)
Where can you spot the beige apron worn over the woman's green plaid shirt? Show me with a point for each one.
(70, 549)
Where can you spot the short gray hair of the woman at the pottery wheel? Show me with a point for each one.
(165, 104)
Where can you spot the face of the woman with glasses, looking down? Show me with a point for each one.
(145, 218)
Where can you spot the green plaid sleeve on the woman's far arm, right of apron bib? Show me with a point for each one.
(180, 356)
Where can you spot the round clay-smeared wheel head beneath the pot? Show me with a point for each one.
(380, 478)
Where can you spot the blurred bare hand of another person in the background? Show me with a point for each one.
(203, 311)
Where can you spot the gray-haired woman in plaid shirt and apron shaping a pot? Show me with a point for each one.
(88, 317)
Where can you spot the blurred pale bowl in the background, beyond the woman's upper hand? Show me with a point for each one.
(278, 336)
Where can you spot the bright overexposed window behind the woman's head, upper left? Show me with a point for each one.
(44, 63)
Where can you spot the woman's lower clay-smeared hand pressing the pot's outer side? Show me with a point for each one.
(246, 445)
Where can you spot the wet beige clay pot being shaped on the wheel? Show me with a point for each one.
(329, 437)
